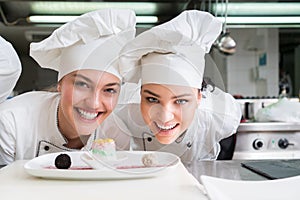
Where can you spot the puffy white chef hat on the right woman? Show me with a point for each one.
(171, 53)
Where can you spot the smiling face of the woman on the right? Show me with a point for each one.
(168, 110)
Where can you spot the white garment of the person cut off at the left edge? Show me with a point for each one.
(10, 69)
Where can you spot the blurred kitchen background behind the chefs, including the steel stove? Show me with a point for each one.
(257, 56)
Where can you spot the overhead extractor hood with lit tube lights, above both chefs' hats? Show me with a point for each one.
(240, 12)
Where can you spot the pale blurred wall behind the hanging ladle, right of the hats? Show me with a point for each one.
(243, 74)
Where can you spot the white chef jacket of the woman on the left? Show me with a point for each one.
(28, 128)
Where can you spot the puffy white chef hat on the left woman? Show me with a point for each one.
(91, 41)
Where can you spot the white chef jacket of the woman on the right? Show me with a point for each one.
(216, 118)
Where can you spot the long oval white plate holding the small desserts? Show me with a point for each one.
(130, 168)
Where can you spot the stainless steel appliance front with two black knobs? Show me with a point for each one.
(270, 140)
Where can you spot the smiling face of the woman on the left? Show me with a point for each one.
(87, 98)
